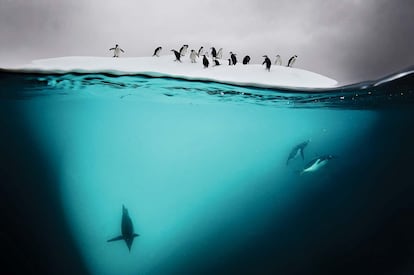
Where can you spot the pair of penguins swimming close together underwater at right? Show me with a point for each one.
(313, 165)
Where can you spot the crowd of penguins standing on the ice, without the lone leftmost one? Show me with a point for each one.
(217, 55)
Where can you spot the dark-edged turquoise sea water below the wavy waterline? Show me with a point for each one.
(202, 169)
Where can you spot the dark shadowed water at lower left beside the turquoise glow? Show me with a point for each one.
(33, 233)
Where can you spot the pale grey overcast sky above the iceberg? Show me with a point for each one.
(348, 40)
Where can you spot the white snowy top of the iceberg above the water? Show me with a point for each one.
(244, 75)
